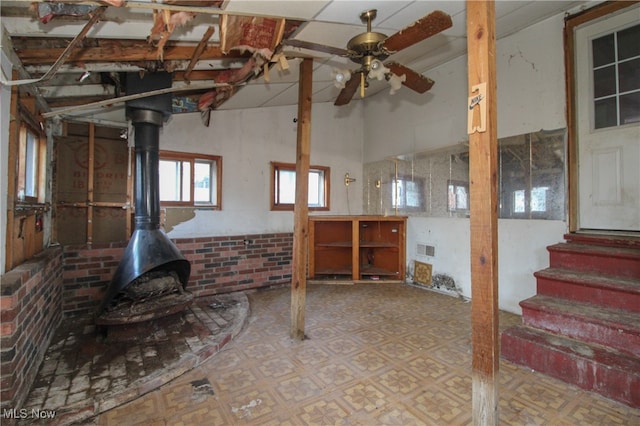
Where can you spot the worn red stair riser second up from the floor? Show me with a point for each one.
(577, 328)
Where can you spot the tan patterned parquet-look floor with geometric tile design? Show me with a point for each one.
(376, 354)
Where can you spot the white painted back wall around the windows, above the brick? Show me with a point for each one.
(248, 140)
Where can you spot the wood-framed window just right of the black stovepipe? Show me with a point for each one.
(190, 179)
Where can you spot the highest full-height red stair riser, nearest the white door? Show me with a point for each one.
(587, 262)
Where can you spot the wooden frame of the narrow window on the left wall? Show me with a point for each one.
(40, 165)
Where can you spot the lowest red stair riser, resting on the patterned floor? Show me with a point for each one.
(617, 384)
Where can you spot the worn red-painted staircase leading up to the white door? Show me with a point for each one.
(583, 325)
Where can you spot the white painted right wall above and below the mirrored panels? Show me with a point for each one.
(530, 97)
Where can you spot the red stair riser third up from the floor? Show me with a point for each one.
(602, 296)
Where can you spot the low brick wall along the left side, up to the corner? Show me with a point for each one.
(30, 311)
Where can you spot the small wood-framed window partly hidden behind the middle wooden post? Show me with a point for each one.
(283, 186)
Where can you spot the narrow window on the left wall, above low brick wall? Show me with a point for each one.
(31, 166)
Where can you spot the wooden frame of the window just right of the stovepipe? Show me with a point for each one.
(193, 158)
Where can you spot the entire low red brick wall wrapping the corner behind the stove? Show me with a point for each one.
(71, 281)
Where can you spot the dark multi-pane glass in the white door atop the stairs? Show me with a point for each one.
(616, 86)
